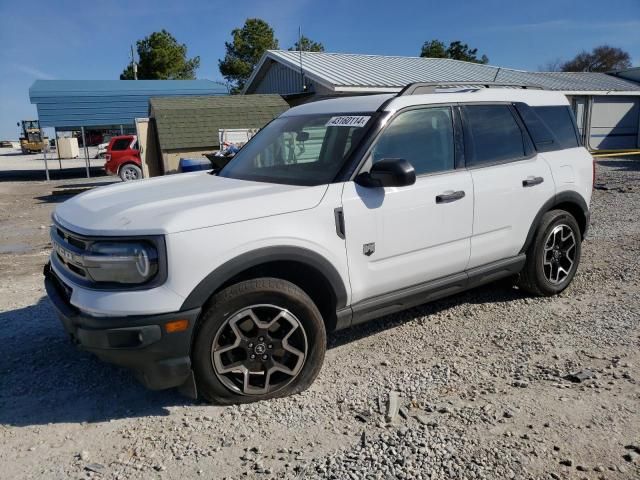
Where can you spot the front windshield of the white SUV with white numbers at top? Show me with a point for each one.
(299, 150)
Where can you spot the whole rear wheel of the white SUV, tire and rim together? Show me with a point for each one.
(554, 255)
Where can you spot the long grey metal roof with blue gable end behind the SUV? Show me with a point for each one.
(351, 73)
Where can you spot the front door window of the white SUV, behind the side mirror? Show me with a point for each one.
(423, 137)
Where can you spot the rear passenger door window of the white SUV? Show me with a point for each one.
(494, 134)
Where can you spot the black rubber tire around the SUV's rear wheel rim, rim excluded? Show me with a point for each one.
(534, 277)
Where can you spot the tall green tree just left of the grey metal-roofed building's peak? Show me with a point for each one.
(249, 44)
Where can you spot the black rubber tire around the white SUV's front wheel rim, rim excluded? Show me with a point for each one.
(224, 307)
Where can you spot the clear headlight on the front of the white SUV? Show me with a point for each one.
(121, 262)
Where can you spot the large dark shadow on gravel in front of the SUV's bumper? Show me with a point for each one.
(45, 379)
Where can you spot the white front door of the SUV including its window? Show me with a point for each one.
(398, 237)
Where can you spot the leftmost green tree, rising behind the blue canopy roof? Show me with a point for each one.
(162, 58)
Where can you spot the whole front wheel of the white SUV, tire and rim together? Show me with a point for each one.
(258, 339)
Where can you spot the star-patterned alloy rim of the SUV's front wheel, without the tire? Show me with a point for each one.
(259, 349)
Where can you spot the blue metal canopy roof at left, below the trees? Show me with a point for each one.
(99, 103)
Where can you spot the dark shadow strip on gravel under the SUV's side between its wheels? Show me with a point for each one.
(497, 292)
